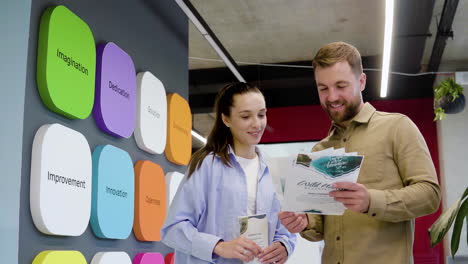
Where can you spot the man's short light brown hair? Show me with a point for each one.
(335, 52)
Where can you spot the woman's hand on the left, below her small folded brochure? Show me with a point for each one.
(239, 248)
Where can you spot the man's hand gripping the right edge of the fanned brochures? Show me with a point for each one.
(354, 196)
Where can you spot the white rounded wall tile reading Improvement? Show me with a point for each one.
(60, 187)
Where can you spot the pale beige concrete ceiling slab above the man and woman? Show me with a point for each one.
(275, 31)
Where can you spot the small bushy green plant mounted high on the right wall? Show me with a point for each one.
(448, 98)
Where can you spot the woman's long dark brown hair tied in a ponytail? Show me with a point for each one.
(220, 136)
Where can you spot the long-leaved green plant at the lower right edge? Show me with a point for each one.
(457, 213)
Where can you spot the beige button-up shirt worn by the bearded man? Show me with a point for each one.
(399, 174)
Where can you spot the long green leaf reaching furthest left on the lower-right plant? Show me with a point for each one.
(438, 230)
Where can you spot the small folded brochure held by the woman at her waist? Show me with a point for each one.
(255, 228)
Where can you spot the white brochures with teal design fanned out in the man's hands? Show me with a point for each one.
(310, 177)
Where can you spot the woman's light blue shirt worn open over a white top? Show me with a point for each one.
(206, 208)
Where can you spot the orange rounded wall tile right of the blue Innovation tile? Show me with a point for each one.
(150, 201)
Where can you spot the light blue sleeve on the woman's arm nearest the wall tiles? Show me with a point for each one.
(179, 230)
